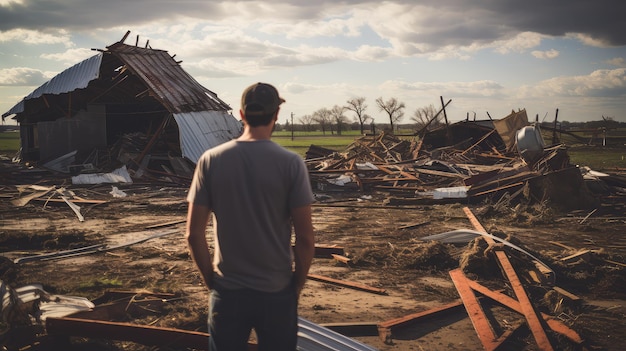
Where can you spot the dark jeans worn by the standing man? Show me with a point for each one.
(233, 314)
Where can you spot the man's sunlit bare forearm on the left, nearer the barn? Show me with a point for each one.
(197, 221)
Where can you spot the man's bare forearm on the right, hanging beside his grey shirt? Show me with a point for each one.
(305, 244)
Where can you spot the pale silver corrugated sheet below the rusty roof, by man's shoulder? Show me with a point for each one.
(200, 131)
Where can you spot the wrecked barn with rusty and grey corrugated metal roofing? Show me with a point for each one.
(123, 100)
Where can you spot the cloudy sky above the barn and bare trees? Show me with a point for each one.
(487, 56)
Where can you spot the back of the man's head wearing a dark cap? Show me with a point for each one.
(259, 103)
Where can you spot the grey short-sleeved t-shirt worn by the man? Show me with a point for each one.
(251, 188)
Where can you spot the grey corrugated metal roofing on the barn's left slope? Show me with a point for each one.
(75, 77)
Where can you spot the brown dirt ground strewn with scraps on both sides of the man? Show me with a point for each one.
(382, 242)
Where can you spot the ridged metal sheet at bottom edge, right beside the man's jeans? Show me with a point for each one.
(313, 337)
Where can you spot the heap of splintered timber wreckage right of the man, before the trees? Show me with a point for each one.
(466, 161)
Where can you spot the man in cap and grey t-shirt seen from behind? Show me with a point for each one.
(256, 190)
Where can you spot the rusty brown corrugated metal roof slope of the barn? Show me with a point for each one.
(171, 85)
